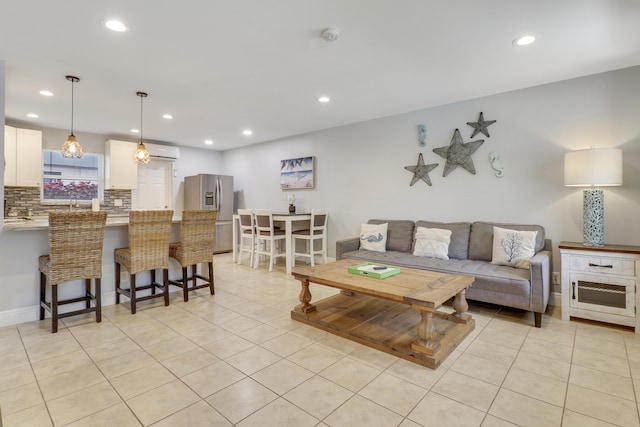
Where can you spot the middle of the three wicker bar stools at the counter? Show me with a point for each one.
(148, 250)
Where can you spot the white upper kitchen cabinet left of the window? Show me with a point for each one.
(23, 157)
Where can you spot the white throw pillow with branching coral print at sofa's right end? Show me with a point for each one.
(512, 247)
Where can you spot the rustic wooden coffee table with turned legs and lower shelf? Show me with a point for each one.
(398, 315)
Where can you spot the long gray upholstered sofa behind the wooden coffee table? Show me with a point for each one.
(470, 252)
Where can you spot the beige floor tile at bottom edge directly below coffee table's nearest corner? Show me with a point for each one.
(435, 410)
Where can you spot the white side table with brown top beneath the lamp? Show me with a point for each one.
(599, 283)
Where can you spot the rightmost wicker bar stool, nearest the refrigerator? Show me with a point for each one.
(196, 245)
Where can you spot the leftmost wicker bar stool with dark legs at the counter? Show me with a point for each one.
(75, 253)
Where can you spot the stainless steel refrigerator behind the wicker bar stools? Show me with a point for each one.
(206, 191)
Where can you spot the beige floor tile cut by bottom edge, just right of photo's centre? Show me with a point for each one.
(365, 411)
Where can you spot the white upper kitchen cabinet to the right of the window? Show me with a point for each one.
(121, 172)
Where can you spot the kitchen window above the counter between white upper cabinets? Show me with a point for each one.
(64, 179)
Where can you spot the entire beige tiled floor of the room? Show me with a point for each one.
(238, 359)
